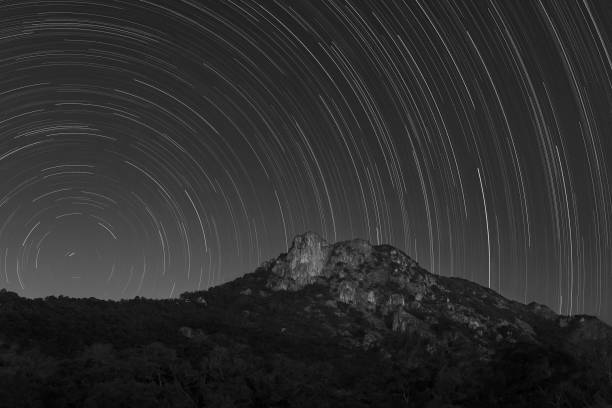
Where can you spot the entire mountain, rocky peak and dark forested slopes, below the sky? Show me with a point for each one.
(342, 325)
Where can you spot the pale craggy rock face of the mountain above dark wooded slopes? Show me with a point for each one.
(394, 293)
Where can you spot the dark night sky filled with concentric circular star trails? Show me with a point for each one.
(153, 147)
